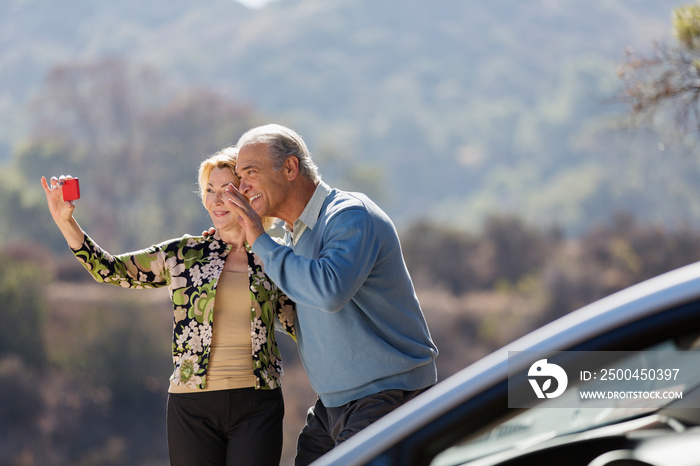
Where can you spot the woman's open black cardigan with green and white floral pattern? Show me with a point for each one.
(190, 267)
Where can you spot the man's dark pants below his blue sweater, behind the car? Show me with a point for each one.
(327, 427)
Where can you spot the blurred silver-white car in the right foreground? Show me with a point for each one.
(466, 418)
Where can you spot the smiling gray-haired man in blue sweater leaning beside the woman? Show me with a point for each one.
(361, 333)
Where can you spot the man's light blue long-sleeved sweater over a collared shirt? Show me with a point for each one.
(359, 326)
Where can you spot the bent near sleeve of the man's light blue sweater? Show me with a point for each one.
(347, 254)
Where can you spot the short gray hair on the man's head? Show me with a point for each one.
(282, 142)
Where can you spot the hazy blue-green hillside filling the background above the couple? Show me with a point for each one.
(448, 111)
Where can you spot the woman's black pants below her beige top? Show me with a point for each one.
(227, 427)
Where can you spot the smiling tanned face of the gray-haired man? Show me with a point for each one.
(265, 187)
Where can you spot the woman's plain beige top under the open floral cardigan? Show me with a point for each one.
(231, 361)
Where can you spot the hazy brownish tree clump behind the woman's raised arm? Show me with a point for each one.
(134, 140)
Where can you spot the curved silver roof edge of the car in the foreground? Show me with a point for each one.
(645, 299)
